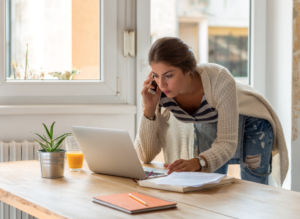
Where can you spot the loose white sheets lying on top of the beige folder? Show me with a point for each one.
(190, 179)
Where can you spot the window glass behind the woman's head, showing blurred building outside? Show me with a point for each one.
(216, 31)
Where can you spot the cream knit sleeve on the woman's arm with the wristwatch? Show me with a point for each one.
(224, 146)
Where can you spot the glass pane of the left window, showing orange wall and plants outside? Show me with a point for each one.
(50, 40)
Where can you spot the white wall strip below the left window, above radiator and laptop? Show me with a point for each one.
(18, 127)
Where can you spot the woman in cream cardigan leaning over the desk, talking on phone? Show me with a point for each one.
(204, 120)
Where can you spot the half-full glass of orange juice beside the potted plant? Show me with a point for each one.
(74, 154)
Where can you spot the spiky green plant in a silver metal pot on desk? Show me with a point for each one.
(51, 156)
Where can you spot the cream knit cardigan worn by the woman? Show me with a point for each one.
(230, 99)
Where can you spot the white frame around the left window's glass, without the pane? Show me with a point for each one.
(71, 92)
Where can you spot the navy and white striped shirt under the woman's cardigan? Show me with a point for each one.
(204, 114)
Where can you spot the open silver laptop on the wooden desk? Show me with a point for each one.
(111, 152)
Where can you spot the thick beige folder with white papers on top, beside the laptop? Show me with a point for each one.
(187, 181)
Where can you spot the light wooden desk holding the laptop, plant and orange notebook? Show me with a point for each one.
(71, 197)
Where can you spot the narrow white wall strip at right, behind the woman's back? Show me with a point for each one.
(278, 79)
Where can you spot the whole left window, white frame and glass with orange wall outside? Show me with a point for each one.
(61, 36)
